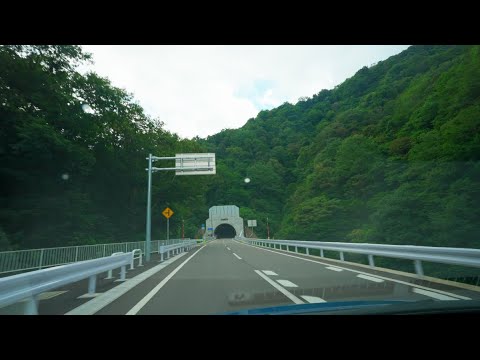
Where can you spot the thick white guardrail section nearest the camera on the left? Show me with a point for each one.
(26, 287)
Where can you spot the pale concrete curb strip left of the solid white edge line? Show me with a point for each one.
(93, 306)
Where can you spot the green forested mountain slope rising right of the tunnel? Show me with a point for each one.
(389, 156)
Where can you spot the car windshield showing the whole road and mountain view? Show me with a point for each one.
(152, 180)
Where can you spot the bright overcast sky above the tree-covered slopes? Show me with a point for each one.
(200, 90)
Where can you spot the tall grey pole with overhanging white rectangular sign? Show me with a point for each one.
(185, 164)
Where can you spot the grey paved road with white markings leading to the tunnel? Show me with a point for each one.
(226, 275)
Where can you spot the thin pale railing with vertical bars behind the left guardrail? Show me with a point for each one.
(22, 260)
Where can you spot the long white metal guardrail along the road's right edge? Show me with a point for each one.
(443, 255)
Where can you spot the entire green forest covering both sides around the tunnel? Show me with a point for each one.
(389, 156)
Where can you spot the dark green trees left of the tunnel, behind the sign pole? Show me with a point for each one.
(46, 136)
